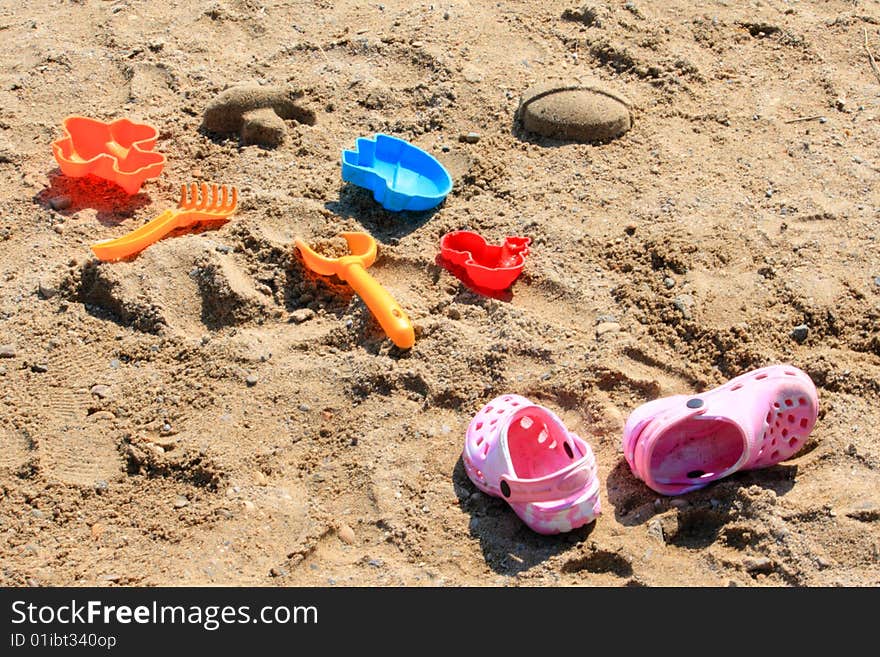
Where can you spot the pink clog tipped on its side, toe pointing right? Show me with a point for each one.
(682, 443)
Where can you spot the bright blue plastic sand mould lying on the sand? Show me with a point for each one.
(400, 175)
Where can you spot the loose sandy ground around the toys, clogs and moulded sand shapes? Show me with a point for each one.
(210, 413)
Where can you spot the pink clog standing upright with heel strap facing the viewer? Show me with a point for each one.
(522, 453)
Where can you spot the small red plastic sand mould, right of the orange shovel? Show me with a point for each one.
(489, 267)
